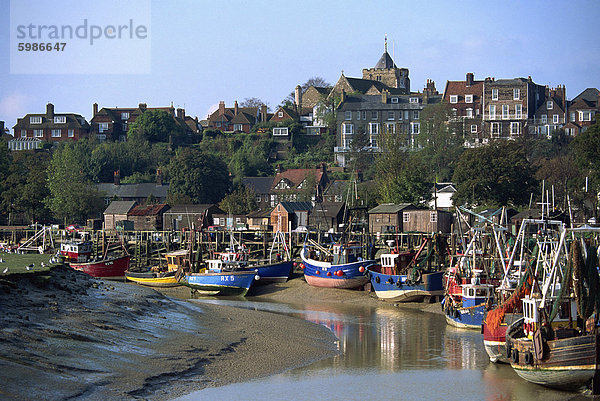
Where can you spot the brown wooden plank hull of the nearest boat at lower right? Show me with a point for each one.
(567, 363)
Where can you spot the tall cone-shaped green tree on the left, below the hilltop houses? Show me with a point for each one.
(72, 194)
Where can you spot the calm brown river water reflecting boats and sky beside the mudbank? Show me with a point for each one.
(386, 354)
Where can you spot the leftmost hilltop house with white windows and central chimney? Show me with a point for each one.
(51, 126)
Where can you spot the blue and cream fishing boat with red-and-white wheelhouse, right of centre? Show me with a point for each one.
(399, 278)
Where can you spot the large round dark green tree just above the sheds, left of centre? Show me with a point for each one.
(200, 176)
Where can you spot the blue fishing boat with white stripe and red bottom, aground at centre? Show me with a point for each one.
(341, 267)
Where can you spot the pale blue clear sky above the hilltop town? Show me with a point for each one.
(202, 52)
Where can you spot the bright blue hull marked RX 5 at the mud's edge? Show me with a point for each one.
(224, 283)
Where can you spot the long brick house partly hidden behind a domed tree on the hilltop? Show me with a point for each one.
(113, 123)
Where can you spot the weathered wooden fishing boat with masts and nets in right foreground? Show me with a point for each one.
(555, 343)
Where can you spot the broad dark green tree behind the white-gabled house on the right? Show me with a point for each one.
(494, 175)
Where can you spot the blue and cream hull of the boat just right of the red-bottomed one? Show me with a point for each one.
(393, 288)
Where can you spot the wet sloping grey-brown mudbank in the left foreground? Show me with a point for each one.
(65, 335)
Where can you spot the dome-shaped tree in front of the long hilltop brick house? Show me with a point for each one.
(156, 126)
